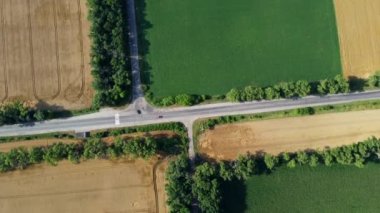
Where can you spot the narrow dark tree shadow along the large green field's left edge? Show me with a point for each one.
(143, 26)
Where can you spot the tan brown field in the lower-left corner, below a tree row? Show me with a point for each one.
(92, 186)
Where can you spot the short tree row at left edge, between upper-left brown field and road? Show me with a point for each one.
(19, 112)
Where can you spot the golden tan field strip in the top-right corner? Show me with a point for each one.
(359, 29)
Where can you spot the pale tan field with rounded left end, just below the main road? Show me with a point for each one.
(289, 134)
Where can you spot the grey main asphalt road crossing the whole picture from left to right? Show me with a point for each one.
(106, 119)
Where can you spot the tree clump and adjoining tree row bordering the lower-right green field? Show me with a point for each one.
(203, 184)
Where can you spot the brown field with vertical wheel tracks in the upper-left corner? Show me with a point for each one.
(44, 53)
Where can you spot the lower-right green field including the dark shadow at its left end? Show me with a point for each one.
(305, 189)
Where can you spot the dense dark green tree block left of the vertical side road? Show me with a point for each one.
(109, 52)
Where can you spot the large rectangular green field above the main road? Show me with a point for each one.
(211, 46)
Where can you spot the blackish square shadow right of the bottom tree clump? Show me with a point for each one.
(233, 196)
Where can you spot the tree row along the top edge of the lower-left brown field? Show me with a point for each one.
(94, 148)
